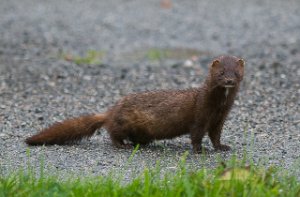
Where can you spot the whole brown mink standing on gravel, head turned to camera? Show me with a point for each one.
(144, 117)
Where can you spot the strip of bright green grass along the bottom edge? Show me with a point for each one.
(233, 180)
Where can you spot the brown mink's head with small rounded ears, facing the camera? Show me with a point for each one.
(227, 71)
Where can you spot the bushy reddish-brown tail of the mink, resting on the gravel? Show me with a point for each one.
(68, 131)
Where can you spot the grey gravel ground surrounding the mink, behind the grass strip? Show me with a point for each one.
(39, 87)
